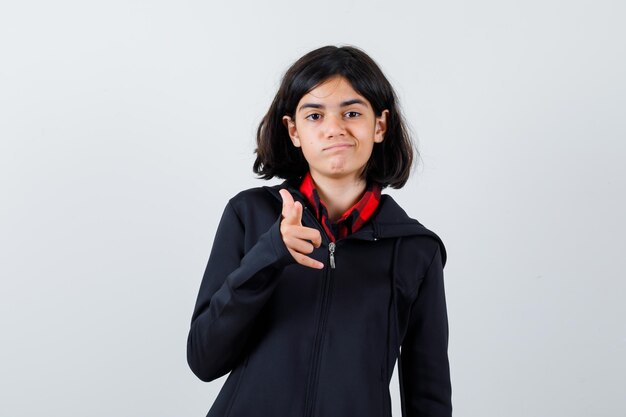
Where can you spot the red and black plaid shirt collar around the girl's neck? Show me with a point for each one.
(352, 220)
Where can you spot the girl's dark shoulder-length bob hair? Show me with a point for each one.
(391, 160)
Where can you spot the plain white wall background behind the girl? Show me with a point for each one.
(125, 126)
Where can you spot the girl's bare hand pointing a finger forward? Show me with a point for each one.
(300, 240)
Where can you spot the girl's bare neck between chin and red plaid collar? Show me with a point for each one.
(339, 195)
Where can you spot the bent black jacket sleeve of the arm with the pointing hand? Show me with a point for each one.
(234, 288)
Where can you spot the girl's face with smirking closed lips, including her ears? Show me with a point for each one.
(336, 128)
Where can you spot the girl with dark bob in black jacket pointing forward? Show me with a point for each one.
(315, 287)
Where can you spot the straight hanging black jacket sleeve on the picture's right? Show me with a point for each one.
(423, 367)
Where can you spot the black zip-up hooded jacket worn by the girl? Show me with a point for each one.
(304, 342)
